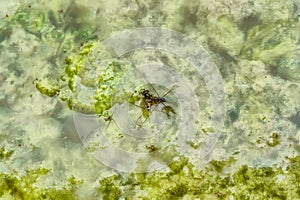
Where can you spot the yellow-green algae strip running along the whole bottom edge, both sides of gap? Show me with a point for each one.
(183, 180)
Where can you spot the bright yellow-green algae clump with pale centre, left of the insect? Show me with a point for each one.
(88, 82)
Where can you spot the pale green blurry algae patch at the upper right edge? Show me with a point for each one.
(271, 41)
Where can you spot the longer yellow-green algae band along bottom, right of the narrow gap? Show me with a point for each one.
(184, 181)
